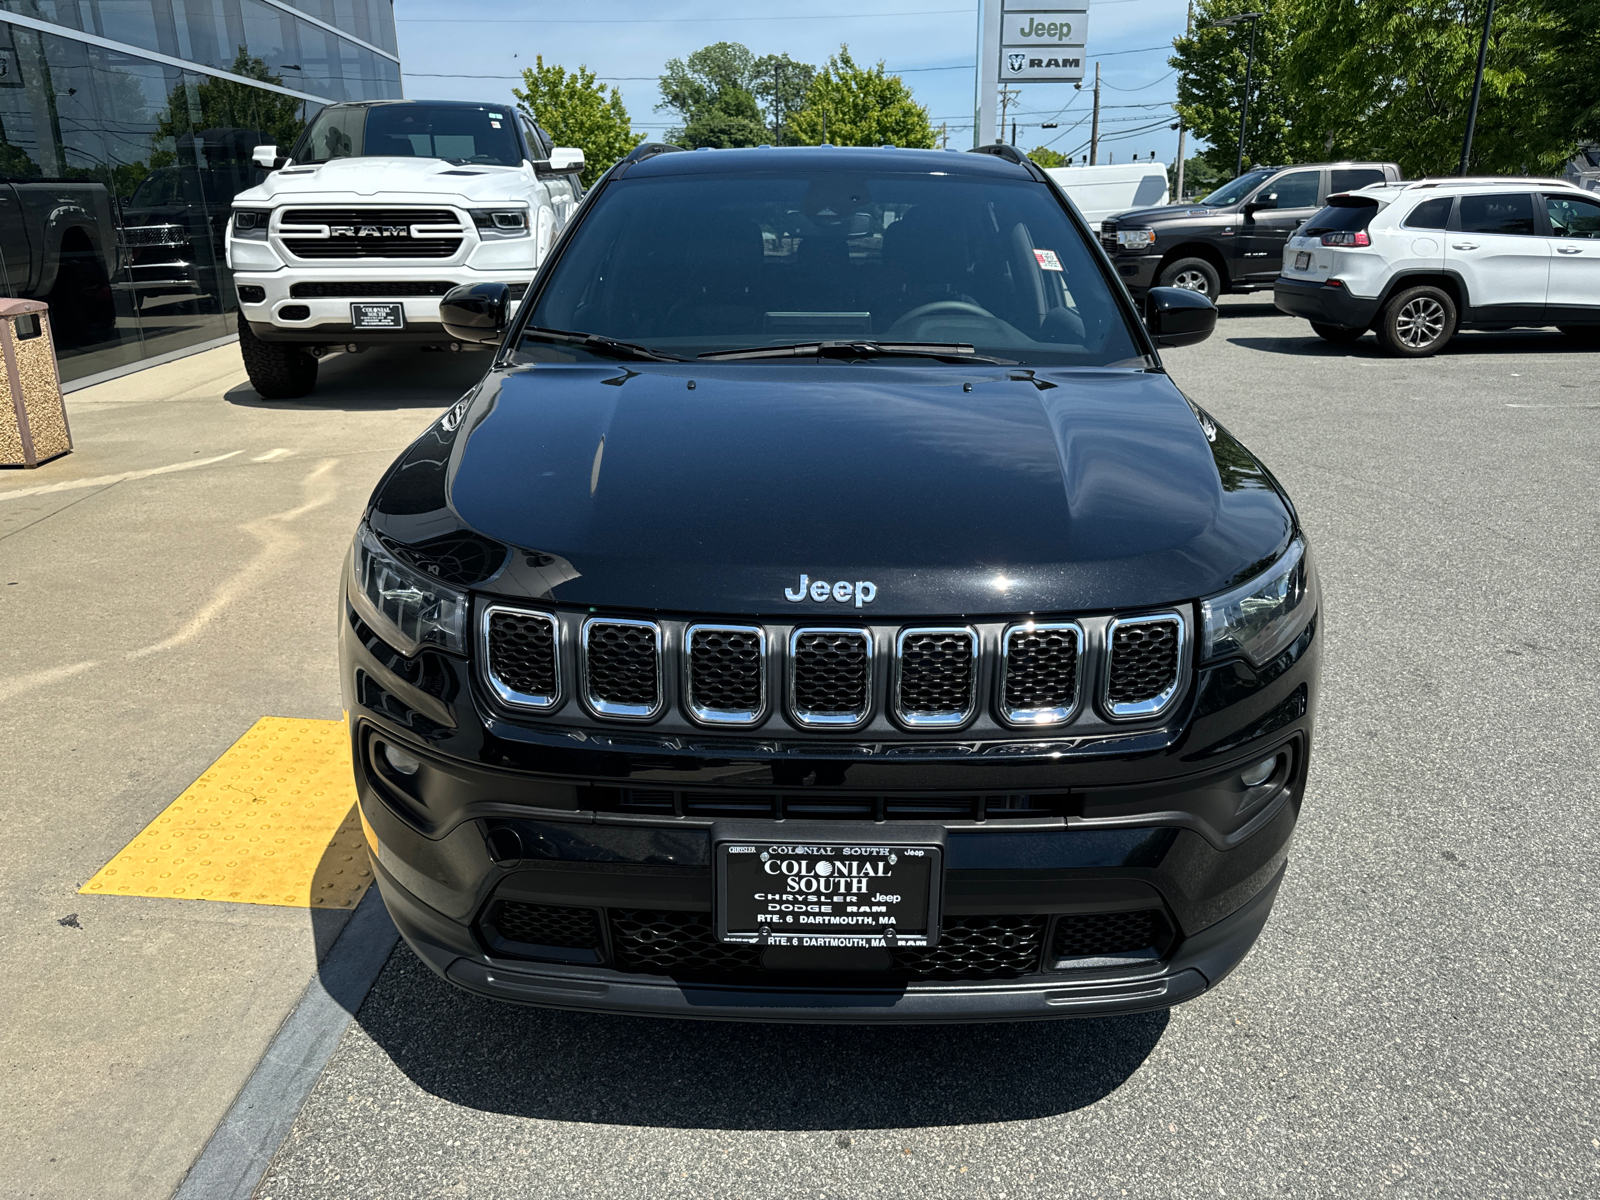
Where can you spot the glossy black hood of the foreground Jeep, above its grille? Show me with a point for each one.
(716, 489)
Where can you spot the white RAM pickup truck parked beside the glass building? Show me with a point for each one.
(377, 214)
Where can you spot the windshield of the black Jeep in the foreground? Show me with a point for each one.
(698, 265)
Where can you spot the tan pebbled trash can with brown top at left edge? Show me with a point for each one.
(33, 415)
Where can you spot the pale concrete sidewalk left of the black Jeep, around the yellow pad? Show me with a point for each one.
(162, 588)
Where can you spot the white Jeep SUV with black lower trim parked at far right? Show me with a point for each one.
(1418, 262)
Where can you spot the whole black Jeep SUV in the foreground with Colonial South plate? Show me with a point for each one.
(830, 610)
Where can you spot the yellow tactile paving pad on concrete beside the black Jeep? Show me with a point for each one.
(273, 822)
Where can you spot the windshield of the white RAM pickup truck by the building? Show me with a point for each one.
(470, 135)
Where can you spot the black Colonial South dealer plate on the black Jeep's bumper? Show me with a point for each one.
(841, 894)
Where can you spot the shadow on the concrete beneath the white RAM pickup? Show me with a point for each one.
(382, 380)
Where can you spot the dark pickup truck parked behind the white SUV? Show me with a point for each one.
(1231, 241)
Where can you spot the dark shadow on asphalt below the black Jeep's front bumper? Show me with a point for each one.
(551, 1065)
